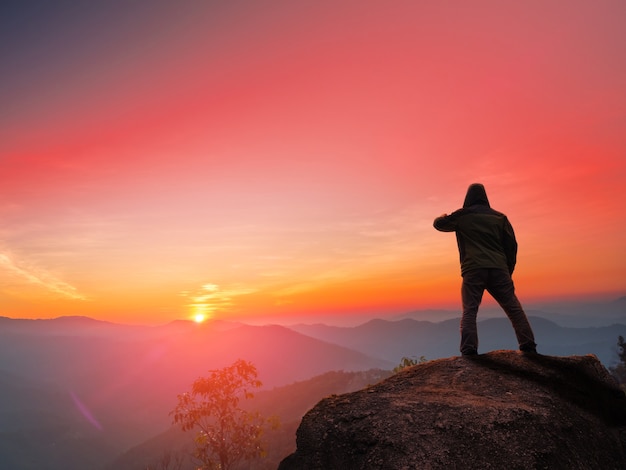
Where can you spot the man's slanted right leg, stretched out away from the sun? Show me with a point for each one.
(500, 286)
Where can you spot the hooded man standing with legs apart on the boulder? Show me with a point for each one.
(488, 252)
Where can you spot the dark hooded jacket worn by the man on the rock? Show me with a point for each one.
(484, 236)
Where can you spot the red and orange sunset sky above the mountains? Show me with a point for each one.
(272, 159)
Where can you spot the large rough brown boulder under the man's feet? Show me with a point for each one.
(492, 411)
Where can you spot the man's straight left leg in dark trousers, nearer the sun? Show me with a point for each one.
(471, 295)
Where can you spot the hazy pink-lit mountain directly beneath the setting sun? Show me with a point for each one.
(118, 383)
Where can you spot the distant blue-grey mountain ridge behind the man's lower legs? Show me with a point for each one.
(393, 340)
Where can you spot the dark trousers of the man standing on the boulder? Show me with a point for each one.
(499, 284)
